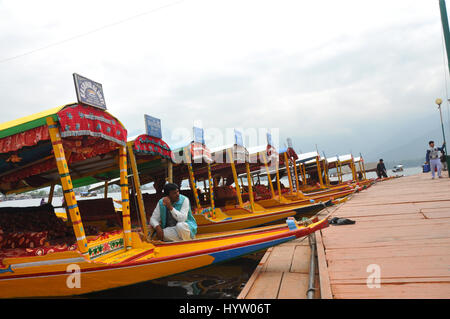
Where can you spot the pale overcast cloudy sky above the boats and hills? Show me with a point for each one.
(345, 75)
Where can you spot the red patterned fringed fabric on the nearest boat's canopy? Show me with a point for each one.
(86, 132)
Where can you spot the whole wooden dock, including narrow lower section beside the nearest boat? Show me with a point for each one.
(402, 234)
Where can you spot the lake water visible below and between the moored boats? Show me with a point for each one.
(225, 280)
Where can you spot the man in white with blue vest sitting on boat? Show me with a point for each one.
(172, 218)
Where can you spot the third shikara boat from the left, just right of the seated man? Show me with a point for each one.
(213, 212)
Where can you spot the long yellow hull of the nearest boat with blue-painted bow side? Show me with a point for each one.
(67, 273)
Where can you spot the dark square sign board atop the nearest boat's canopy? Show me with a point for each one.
(89, 92)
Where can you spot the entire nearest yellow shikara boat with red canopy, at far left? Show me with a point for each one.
(40, 255)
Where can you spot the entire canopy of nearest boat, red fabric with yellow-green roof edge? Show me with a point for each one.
(89, 135)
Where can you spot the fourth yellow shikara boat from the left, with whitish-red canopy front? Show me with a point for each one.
(241, 206)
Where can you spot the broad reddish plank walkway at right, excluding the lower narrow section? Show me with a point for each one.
(402, 227)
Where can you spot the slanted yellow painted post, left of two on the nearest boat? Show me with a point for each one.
(66, 183)
